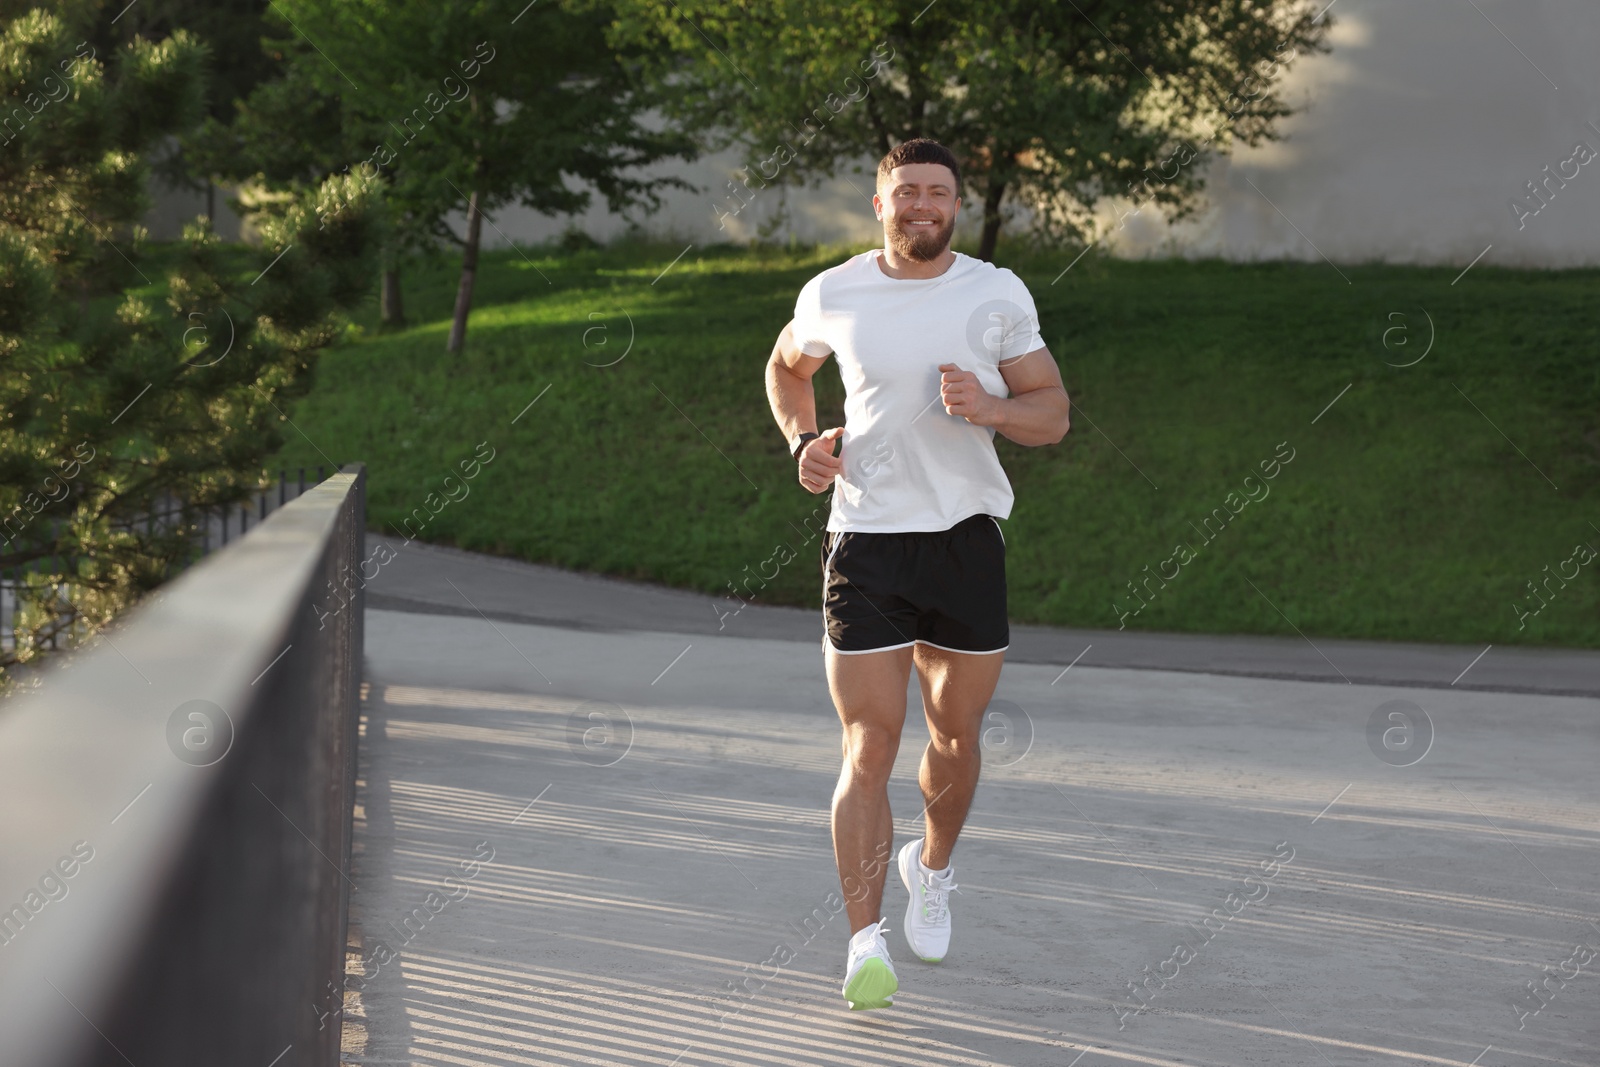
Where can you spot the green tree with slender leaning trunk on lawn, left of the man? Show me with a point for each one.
(479, 105)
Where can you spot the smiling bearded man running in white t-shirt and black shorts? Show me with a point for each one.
(930, 343)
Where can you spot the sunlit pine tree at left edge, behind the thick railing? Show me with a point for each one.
(111, 406)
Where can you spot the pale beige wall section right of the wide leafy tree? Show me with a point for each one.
(1418, 130)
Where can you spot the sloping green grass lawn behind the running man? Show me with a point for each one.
(1417, 508)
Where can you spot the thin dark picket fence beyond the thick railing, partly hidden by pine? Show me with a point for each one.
(212, 529)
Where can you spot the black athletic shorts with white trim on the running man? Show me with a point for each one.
(894, 589)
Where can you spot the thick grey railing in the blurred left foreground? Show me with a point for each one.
(177, 813)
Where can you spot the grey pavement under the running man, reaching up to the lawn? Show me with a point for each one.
(602, 839)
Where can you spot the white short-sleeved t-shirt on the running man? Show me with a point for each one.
(910, 466)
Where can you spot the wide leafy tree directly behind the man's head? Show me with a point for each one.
(1047, 106)
